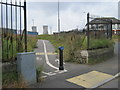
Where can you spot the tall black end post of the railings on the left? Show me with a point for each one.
(25, 25)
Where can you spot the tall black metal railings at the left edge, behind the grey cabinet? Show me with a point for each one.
(13, 28)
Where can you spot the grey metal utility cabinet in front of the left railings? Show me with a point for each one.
(26, 67)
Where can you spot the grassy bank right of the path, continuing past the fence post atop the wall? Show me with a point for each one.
(73, 42)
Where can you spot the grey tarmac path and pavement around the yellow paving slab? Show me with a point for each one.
(53, 78)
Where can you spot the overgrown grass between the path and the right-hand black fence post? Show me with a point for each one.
(69, 42)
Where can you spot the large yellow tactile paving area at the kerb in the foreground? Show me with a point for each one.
(90, 79)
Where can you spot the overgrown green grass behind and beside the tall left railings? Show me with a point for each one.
(31, 44)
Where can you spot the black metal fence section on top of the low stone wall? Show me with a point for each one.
(98, 28)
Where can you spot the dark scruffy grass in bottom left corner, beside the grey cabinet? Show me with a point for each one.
(11, 80)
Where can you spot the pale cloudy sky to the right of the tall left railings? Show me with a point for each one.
(72, 14)
